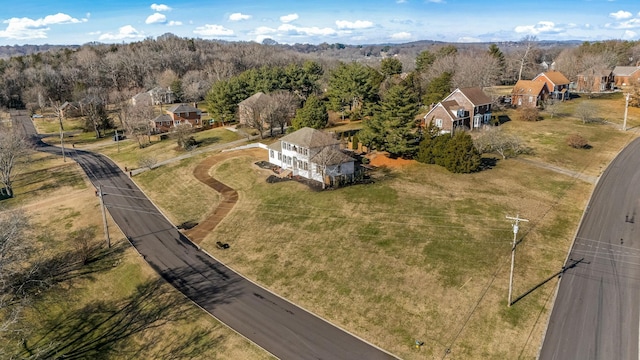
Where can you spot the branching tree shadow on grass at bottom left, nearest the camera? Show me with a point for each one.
(103, 329)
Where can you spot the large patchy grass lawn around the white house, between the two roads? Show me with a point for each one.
(421, 253)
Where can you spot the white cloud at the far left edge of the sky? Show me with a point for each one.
(26, 28)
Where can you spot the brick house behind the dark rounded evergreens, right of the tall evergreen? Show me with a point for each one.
(468, 108)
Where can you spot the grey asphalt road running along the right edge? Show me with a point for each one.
(596, 312)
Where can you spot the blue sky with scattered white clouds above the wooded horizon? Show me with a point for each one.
(308, 21)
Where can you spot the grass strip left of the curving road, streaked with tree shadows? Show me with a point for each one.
(112, 307)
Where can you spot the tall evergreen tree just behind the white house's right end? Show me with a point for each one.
(393, 127)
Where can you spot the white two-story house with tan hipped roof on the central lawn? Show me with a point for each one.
(312, 154)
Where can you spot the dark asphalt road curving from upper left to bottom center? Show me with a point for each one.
(278, 326)
